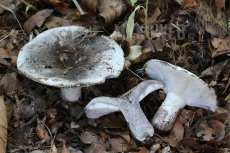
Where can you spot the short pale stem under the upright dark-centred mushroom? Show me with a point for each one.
(71, 94)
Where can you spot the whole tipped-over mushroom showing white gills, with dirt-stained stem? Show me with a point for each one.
(182, 88)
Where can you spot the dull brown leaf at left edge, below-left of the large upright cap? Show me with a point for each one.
(10, 82)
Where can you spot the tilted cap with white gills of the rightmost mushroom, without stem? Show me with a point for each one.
(193, 90)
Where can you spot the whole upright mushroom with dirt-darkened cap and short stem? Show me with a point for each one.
(63, 57)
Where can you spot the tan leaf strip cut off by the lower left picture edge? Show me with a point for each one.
(3, 123)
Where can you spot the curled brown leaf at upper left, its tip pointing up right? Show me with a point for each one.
(36, 19)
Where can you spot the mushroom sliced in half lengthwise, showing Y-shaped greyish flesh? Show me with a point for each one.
(129, 105)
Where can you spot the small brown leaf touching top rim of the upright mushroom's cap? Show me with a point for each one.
(53, 22)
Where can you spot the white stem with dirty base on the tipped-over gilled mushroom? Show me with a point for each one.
(164, 119)
